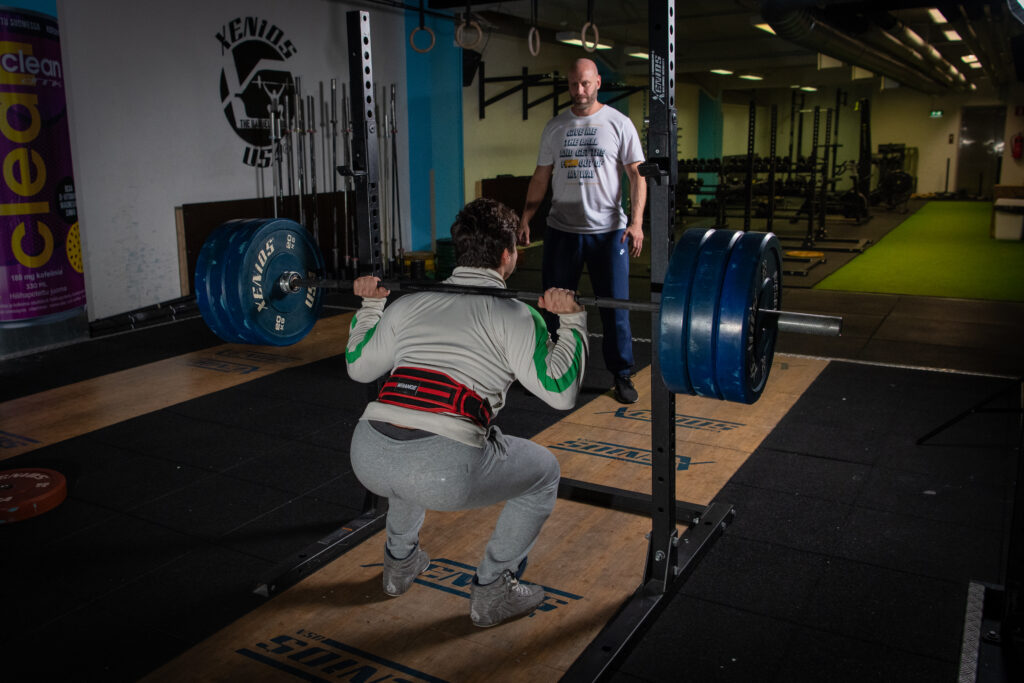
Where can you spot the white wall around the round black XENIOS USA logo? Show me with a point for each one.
(149, 131)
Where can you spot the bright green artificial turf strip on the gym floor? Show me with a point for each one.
(944, 250)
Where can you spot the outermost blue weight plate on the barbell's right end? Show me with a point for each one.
(746, 340)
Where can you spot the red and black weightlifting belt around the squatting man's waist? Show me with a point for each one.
(433, 392)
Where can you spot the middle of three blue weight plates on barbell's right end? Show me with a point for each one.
(704, 311)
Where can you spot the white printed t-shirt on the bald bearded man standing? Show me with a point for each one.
(588, 155)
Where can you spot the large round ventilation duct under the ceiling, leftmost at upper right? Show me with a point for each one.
(793, 22)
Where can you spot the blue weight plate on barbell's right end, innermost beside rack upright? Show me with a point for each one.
(674, 316)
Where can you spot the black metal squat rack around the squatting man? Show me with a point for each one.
(671, 557)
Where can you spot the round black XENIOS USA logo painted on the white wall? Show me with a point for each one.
(254, 76)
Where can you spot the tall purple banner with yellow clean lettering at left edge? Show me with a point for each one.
(40, 253)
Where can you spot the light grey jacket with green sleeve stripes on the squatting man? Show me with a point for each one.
(484, 343)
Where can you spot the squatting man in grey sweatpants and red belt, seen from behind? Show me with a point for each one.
(429, 442)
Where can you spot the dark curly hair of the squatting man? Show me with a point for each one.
(482, 232)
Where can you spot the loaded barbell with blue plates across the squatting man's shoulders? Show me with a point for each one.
(262, 282)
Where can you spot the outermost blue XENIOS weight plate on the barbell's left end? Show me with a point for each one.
(264, 313)
